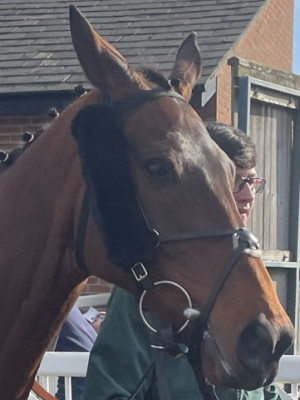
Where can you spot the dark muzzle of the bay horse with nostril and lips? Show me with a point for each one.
(259, 348)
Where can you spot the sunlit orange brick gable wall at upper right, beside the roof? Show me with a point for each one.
(268, 41)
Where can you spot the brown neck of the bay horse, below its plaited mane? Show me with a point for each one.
(39, 279)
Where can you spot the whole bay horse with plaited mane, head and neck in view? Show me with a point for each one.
(126, 184)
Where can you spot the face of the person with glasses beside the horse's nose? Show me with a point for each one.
(245, 198)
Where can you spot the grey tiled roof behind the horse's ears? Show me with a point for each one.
(36, 53)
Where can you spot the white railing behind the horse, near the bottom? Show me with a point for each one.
(69, 365)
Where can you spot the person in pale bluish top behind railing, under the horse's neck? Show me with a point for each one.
(78, 333)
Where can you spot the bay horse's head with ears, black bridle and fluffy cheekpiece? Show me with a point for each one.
(160, 194)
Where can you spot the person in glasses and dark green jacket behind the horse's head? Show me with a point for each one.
(121, 364)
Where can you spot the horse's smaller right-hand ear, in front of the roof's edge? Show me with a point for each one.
(187, 67)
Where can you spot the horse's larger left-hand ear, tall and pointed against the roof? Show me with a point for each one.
(103, 65)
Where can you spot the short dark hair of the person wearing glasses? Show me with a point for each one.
(234, 142)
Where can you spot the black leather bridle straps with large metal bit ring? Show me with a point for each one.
(242, 239)
